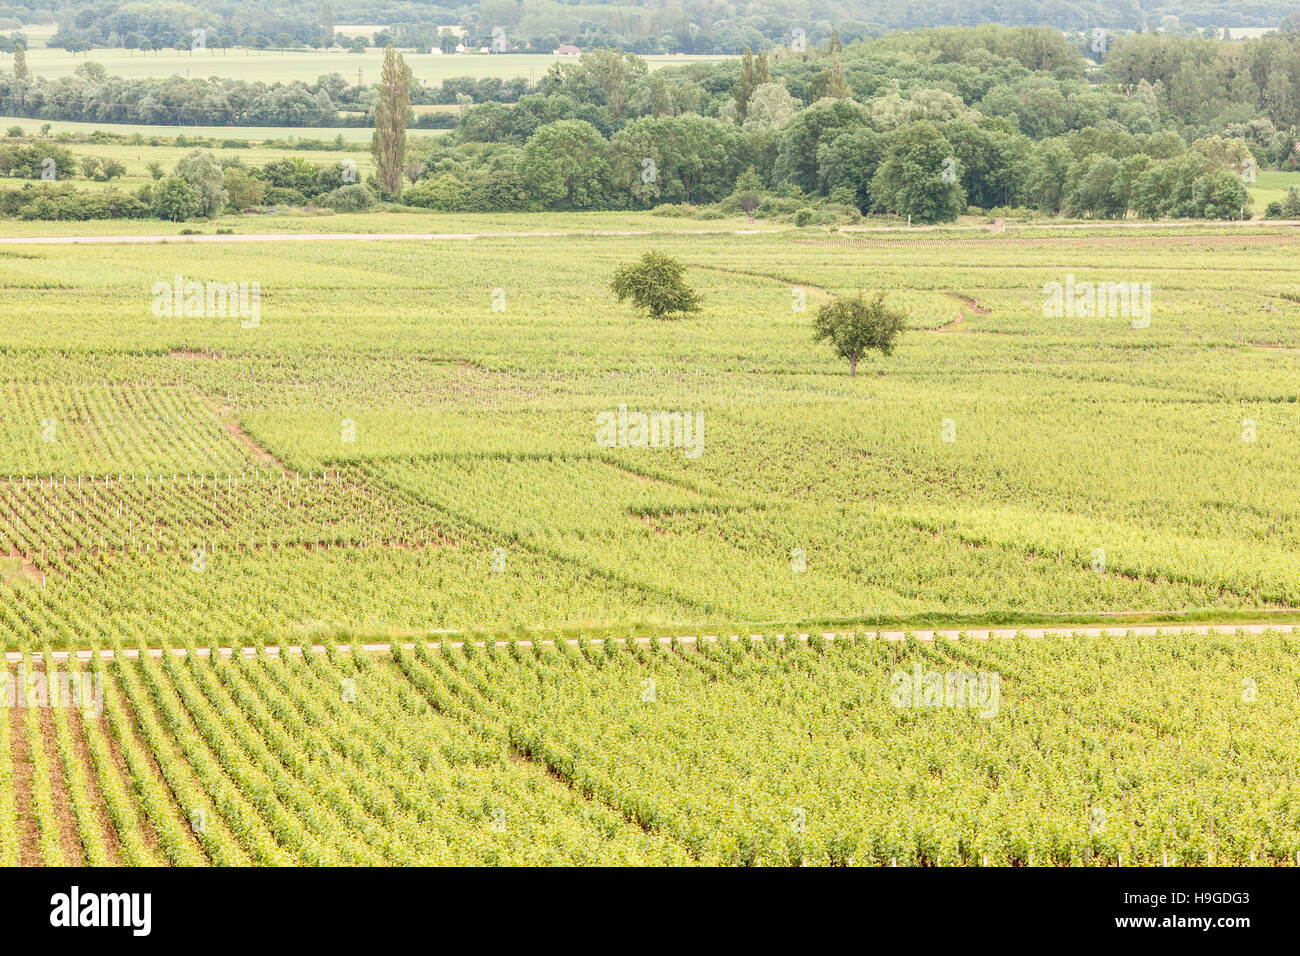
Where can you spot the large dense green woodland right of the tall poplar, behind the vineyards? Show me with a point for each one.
(928, 126)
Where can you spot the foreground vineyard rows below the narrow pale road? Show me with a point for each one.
(1117, 751)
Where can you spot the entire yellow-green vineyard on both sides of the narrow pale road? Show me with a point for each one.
(402, 451)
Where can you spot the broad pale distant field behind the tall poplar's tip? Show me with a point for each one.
(284, 67)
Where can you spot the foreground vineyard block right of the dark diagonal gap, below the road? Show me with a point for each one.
(781, 754)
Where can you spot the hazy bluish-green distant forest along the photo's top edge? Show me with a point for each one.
(690, 27)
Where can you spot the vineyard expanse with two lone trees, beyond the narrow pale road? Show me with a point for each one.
(398, 413)
